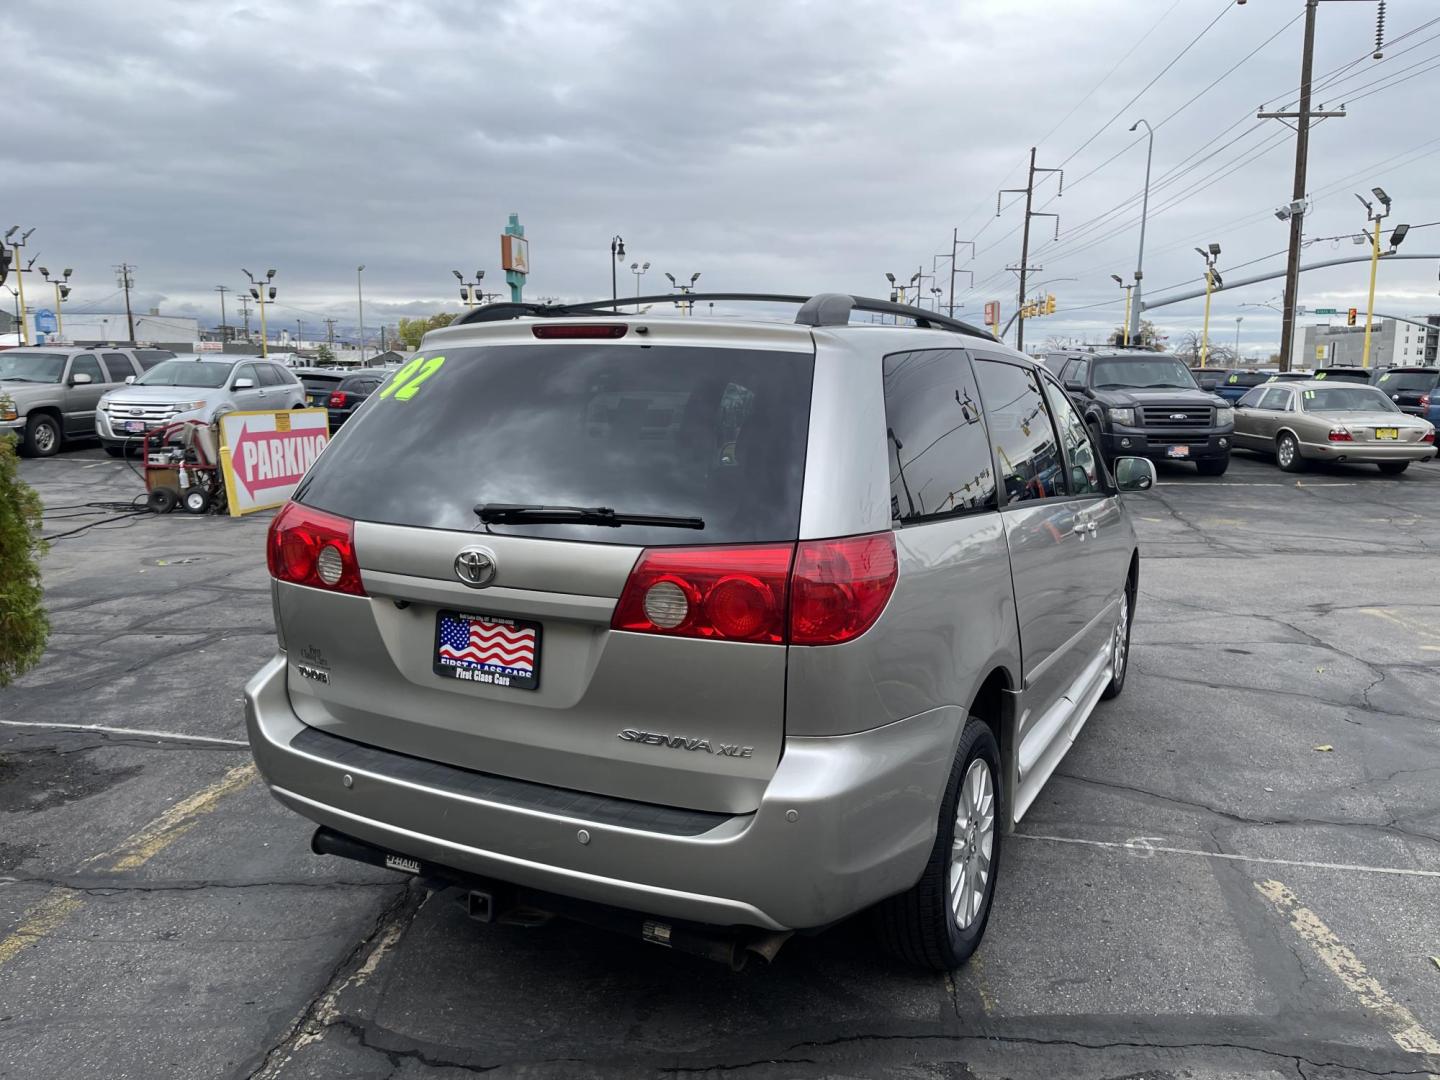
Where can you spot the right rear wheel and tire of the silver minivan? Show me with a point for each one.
(940, 922)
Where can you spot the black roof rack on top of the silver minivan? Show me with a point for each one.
(822, 310)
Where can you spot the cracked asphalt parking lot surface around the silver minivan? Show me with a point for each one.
(1236, 872)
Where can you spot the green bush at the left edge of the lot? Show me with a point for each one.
(24, 626)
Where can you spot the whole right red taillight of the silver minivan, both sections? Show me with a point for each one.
(819, 593)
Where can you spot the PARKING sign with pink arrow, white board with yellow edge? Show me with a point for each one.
(266, 454)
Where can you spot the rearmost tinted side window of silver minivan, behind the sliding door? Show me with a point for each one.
(940, 456)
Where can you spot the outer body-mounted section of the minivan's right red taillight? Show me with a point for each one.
(839, 588)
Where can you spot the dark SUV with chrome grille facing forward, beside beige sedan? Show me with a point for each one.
(1150, 405)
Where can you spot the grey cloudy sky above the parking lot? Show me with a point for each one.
(777, 146)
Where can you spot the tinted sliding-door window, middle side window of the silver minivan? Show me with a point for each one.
(1020, 428)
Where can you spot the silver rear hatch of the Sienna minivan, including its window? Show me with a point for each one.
(525, 678)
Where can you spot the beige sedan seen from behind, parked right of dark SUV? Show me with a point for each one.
(1331, 421)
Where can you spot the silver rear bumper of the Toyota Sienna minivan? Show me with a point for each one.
(845, 823)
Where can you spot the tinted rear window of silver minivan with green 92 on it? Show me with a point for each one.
(716, 434)
